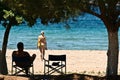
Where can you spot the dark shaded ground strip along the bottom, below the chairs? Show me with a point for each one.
(73, 76)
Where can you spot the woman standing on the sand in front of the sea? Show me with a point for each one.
(42, 44)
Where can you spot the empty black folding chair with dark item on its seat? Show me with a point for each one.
(55, 63)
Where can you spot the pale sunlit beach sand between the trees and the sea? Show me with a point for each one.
(91, 62)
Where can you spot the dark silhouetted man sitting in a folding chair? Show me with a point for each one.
(26, 61)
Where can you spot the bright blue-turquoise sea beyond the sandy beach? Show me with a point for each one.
(85, 32)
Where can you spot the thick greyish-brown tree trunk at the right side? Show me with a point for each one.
(113, 52)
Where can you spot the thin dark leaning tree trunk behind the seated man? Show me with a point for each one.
(3, 63)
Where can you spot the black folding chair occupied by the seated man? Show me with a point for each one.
(17, 69)
